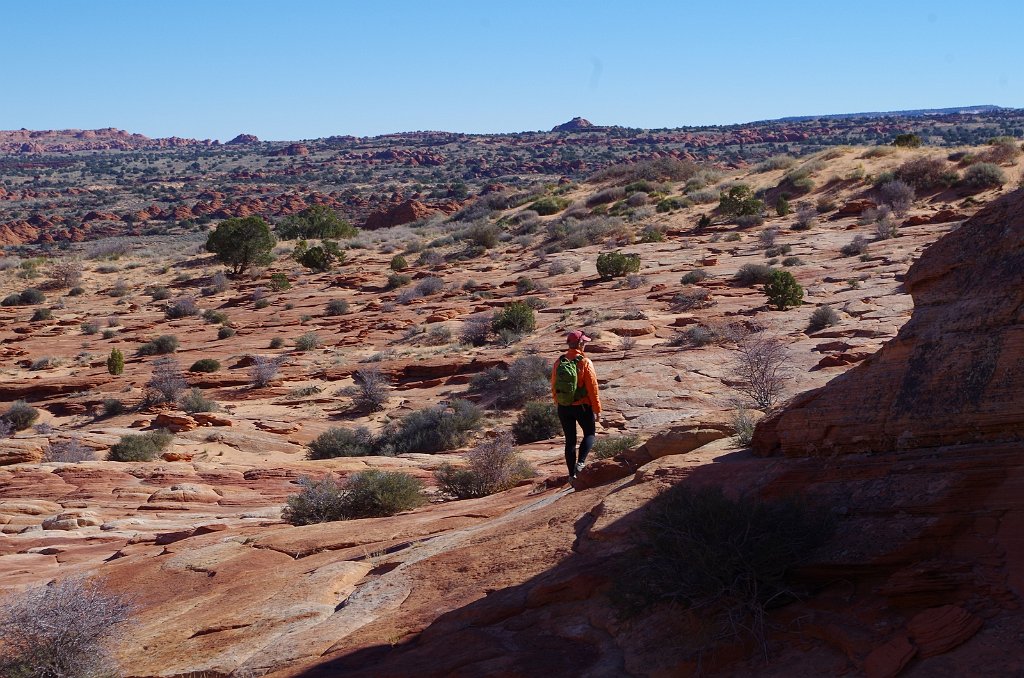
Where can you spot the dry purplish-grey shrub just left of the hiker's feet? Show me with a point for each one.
(494, 467)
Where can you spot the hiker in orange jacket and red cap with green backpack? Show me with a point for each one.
(574, 388)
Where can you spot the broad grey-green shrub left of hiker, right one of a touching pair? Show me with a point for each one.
(432, 430)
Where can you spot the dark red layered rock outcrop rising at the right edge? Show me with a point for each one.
(953, 374)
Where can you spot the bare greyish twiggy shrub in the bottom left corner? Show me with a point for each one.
(69, 628)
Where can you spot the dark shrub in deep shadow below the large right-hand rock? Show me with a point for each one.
(726, 560)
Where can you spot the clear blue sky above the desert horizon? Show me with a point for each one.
(306, 69)
